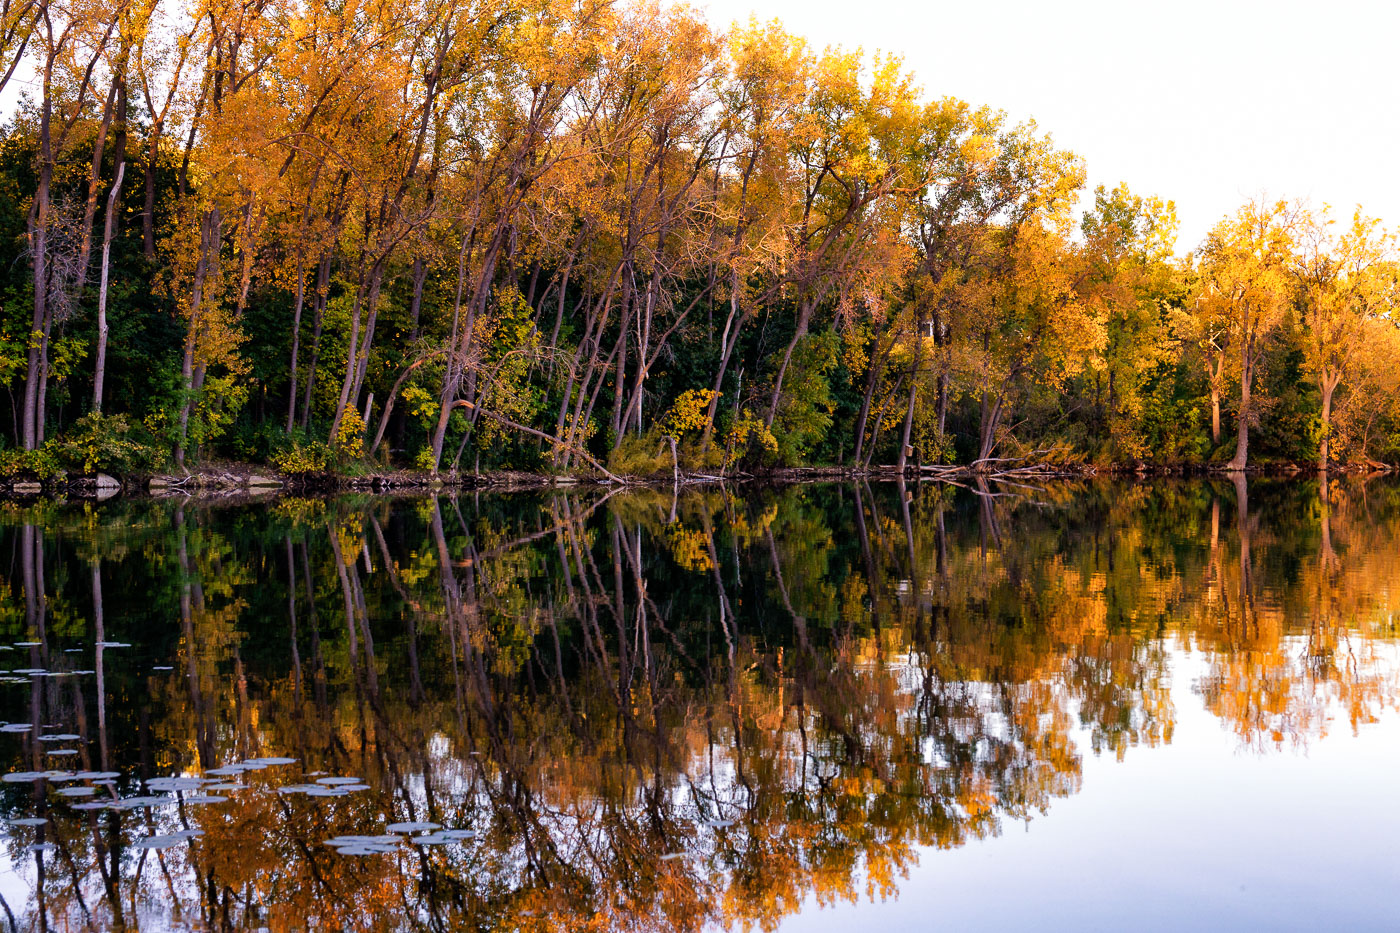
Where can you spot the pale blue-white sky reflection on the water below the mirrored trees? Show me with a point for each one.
(1191, 836)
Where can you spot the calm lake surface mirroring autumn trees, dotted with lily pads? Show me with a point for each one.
(824, 708)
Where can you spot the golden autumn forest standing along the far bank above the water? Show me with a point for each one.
(590, 236)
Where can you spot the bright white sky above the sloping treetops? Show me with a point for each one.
(1206, 104)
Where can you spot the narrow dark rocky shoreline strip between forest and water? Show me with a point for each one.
(254, 483)
